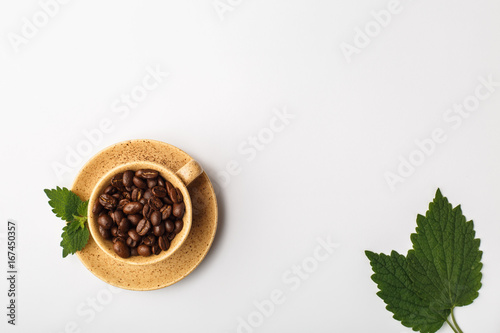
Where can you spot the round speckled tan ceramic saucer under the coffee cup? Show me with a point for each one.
(186, 258)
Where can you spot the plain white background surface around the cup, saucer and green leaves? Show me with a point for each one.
(321, 176)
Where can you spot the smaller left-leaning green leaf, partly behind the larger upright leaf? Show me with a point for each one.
(400, 294)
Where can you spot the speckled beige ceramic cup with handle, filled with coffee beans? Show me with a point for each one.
(180, 179)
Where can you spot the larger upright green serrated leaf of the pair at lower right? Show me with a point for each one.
(446, 260)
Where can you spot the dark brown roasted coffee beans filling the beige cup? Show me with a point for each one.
(140, 212)
